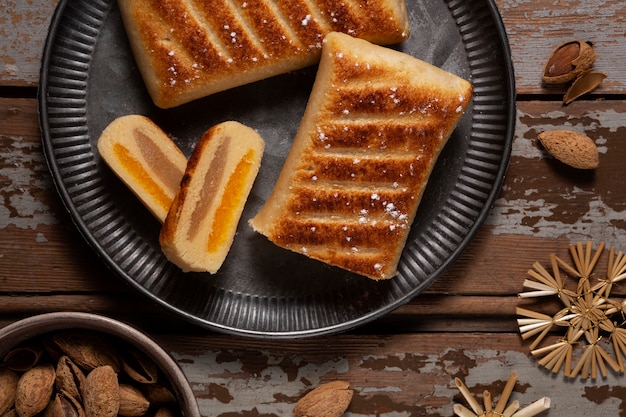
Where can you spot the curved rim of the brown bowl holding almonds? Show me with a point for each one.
(32, 327)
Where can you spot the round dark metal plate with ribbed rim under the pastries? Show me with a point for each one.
(89, 78)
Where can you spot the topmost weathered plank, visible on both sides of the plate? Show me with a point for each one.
(534, 28)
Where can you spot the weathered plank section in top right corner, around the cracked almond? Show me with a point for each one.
(536, 27)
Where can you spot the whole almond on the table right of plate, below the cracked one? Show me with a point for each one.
(571, 148)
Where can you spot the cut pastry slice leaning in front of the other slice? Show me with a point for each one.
(201, 224)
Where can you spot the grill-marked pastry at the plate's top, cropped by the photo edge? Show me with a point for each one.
(187, 49)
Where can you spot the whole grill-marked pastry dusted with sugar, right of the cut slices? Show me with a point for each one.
(376, 122)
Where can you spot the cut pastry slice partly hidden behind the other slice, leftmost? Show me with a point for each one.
(145, 159)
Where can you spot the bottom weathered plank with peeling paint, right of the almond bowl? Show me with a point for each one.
(401, 379)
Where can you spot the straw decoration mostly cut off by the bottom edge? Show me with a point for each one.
(502, 408)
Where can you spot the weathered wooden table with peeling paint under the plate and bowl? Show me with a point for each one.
(402, 364)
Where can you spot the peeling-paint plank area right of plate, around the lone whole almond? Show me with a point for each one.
(544, 198)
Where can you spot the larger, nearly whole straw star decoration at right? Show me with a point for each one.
(588, 314)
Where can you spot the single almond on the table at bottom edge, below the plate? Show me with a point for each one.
(328, 400)
